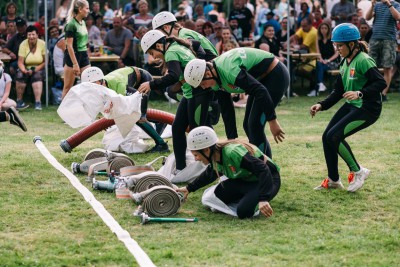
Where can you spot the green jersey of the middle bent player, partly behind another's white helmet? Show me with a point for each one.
(177, 52)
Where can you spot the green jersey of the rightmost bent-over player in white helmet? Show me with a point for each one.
(231, 63)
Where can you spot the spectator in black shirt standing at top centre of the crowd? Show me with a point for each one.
(244, 17)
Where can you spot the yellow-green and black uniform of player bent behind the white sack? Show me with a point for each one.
(124, 81)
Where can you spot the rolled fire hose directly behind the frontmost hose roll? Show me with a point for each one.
(144, 181)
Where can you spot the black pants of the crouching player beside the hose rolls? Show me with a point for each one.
(246, 194)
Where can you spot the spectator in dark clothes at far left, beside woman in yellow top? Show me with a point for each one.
(12, 45)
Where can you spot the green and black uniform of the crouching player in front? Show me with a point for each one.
(252, 178)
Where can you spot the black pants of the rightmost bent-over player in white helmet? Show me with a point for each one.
(276, 83)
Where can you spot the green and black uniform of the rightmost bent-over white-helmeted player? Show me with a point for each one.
(244, 70)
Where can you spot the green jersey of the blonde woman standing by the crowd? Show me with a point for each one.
(79, 33)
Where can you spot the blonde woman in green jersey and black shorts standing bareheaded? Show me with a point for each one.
(76, 35)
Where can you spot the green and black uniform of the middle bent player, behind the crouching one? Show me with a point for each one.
(193, 108)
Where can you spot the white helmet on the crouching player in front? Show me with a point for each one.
(201, 137)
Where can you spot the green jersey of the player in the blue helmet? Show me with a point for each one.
(353, 75)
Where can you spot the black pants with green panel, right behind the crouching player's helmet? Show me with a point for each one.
(191, 112)
